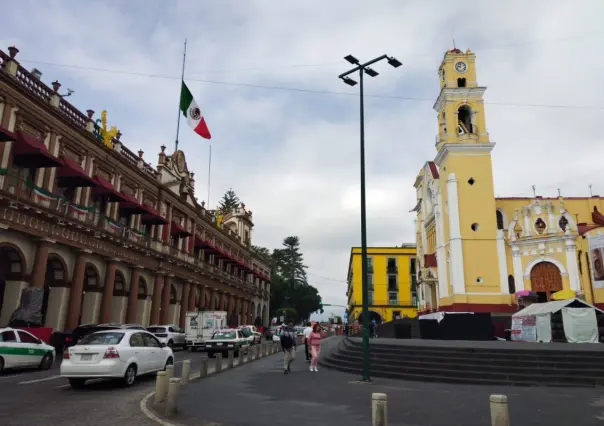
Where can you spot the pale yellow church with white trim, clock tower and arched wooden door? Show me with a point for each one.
(476, 251)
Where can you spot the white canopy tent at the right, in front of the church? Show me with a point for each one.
(534, 323)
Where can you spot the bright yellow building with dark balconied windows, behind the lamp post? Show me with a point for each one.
(391, 279)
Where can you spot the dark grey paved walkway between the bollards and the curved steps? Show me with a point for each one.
(259, 394)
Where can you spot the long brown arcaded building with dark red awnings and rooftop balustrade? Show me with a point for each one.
(103, 235)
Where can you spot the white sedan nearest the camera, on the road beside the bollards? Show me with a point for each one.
(115, 354)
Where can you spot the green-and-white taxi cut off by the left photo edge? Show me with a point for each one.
(20, 349)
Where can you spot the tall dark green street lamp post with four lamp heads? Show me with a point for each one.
(364, 68)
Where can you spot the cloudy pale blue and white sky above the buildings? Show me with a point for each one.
(285, 130)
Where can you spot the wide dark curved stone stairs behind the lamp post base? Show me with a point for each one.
(472, 362)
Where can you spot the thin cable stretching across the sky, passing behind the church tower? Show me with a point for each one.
(314, 91)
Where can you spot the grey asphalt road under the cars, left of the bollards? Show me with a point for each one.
(31, 397)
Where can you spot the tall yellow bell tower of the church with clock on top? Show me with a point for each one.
(464, 159)
